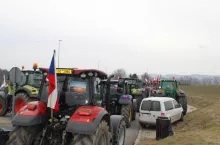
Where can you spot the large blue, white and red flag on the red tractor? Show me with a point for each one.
(52, 93)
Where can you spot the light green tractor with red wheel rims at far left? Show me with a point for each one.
(24, 85)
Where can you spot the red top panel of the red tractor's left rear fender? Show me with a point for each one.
(41, 109)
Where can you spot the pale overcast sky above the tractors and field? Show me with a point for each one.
(158, 36)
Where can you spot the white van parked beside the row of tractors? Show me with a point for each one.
(154, 107)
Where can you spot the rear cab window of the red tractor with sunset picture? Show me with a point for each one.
(71, 91)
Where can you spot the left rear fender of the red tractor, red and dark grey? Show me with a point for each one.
(26, 117)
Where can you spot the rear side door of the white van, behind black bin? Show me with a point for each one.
(169, 108)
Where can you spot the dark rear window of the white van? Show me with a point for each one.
(151, 106)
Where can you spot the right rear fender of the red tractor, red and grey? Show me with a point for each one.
(87, 124)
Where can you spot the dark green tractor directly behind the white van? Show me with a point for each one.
(169, 88)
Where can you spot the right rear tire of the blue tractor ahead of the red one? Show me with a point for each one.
(126, 111)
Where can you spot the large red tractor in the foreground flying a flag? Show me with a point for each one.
(79, 121)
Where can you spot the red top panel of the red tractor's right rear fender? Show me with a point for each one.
(86, 119)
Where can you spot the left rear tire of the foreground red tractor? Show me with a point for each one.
(21, 135)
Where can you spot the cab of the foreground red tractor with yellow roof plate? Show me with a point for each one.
(76, 87)
